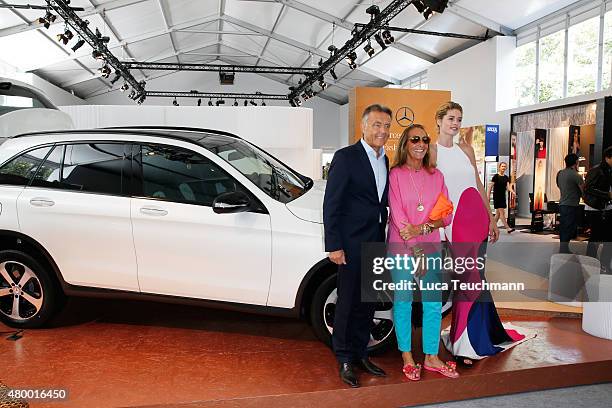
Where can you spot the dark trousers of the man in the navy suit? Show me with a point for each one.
(353, 320)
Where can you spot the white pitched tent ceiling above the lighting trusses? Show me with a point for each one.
(250, 32)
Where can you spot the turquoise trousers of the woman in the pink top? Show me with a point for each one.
(432, 307)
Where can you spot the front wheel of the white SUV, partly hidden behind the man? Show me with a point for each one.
(322, 311)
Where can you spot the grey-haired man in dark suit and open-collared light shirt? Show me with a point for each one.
(355, 212)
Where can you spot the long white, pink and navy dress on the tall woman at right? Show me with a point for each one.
(476, 330)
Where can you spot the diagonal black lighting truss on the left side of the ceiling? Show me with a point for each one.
(81, 27)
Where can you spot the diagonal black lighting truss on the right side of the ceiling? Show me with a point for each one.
(360, 36)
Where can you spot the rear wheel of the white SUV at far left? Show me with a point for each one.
(28, 286)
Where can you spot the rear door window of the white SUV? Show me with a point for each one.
(95, 168)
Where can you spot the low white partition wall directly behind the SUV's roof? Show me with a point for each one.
(285, 132)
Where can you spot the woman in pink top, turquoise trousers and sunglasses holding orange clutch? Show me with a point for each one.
(416, 194)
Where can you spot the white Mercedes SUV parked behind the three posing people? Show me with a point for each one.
(168, 214)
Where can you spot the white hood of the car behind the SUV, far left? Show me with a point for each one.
(33, 120)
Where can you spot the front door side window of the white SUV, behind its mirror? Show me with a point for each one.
(180, 175)
